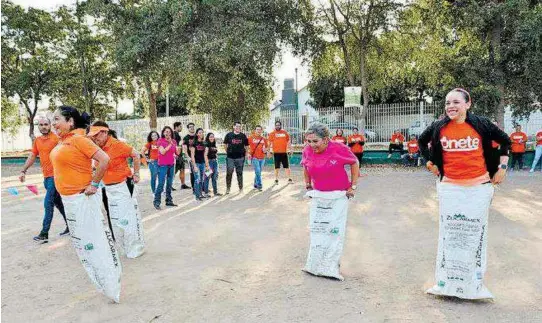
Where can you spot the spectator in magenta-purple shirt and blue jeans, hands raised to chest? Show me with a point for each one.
(167, 149)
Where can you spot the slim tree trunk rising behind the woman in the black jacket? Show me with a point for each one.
(496, 57)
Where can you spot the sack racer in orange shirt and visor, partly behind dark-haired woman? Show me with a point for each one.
(119, 186)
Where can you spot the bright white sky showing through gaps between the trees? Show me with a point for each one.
(283, 69)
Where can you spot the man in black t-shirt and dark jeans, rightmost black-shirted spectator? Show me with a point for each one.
(236, 149)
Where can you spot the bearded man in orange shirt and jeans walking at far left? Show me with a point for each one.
(42, 147)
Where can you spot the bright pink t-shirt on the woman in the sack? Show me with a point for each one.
(327, 169)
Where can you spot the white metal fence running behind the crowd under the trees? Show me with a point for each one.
(379, 123)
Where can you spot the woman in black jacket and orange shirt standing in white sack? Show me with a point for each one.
(461, 154)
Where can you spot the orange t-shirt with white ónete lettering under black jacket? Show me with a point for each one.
(462, 152)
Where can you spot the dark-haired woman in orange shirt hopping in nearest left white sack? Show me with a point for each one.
(90, 235)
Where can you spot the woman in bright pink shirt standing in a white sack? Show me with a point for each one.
(326, 179)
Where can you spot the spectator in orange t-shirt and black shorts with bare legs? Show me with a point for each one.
(281, 147)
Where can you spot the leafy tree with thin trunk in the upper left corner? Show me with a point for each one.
(30, 59)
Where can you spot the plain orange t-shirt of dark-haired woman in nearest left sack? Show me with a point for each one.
(72, 163)
